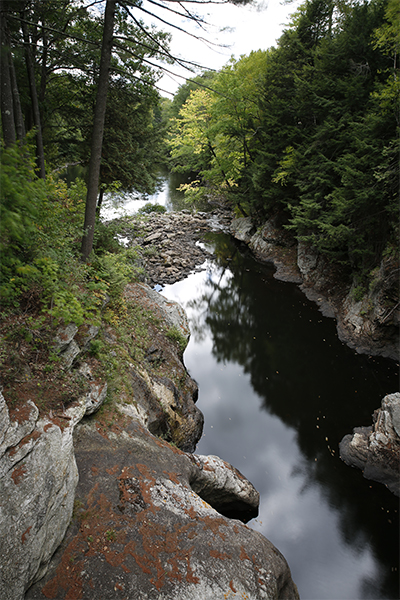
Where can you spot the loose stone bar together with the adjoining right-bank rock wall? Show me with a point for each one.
(171, 248)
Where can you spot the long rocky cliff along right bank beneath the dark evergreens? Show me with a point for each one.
(368, 322)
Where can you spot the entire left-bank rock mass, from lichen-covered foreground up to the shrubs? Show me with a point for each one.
(150, 519)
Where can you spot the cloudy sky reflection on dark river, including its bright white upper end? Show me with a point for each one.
(299, 510)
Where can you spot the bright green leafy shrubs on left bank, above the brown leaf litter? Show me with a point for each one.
(40, 236)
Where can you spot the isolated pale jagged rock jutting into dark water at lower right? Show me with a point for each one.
(376, 449)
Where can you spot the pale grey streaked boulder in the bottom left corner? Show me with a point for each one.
(38, 477)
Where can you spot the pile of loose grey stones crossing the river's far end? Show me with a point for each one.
(171, 242)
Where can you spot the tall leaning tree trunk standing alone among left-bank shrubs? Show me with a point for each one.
(98, 130)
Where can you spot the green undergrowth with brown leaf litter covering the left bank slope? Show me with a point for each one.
(44, 285)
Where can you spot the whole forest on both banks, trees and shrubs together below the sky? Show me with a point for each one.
(306, 131)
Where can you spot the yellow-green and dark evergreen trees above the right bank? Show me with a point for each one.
(308, 130)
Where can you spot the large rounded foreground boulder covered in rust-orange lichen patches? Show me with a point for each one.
(143, 532)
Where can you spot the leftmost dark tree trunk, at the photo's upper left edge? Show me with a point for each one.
(7, 109)
